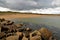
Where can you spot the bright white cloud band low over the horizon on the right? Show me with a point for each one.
(44, 11)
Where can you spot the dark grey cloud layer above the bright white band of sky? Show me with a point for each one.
(30, 4)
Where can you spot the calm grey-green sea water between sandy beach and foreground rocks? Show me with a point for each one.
(50, 22)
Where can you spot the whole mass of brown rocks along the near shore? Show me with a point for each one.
(11, 31)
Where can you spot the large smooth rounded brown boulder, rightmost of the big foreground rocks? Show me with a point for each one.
(46, 34)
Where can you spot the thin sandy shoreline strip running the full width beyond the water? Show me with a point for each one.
(13, 16)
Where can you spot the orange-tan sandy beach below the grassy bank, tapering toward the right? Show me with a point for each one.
(13, 16)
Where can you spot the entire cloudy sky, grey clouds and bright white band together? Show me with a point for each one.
(35, 6)
